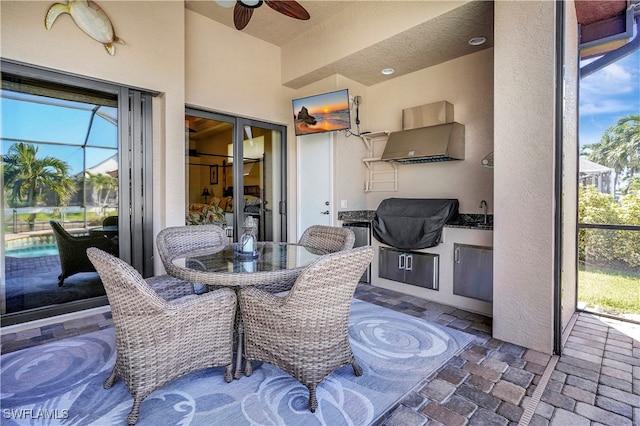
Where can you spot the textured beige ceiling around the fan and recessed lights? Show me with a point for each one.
(432, 42)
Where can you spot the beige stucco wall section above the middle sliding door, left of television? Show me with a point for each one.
(229, 71)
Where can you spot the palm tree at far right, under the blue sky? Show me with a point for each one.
(618, 149)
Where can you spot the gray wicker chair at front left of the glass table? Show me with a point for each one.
(158, 341)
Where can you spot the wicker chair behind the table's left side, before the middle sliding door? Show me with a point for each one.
(175, 240)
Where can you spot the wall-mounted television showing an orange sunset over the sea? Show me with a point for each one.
(326, 112)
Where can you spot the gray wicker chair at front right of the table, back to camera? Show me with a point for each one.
(305, 333)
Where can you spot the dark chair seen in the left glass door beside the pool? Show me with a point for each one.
(73, 251)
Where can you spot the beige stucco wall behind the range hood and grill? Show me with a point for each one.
(465, 82)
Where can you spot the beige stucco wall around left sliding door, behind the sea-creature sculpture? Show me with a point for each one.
(152, 58)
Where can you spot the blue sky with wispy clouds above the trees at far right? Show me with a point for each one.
(608, 95)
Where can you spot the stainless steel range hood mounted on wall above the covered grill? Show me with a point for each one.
(443, 141)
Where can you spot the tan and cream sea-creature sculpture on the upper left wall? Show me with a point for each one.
(90, 18)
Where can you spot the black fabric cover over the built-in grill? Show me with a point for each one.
(412, 223)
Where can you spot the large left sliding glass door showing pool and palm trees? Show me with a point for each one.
(69, 146)
